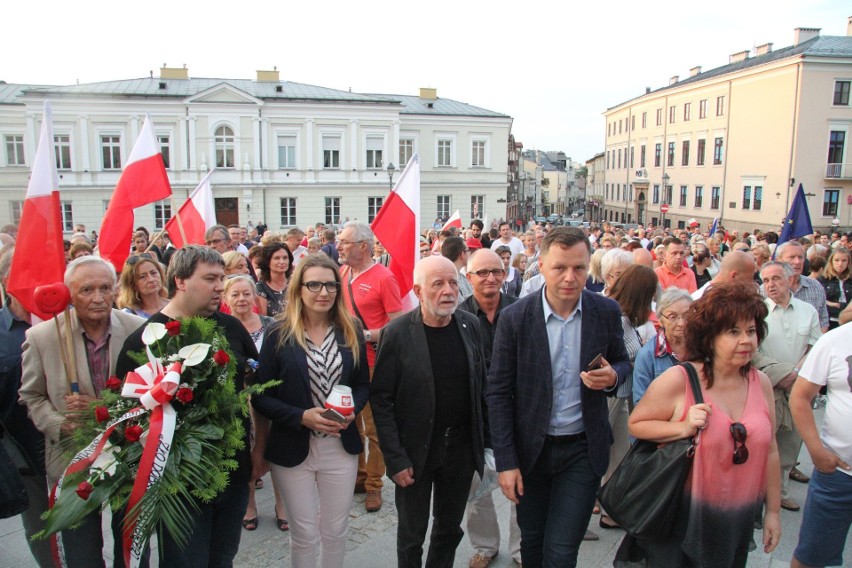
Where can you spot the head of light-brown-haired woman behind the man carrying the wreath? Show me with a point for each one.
(142, 286)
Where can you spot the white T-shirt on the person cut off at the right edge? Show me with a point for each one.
(830, 363)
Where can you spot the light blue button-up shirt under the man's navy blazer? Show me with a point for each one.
(563, 337)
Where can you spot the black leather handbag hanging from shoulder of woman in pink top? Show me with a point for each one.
(645, 493)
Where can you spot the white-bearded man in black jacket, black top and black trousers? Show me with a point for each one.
(427, 406)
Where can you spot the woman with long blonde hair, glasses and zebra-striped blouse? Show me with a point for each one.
(314, 347)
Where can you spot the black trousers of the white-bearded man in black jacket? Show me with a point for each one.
(444, 483)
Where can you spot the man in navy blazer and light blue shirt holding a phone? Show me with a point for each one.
(548, 414)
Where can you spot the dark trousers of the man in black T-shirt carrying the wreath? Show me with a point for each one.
(215, 537)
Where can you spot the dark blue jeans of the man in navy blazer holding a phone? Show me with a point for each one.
(554, 511)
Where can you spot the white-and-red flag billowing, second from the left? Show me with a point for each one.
(144, 180)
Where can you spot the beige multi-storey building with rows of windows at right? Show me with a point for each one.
(735, 142)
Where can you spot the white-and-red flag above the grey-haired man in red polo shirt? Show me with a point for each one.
(397, 222)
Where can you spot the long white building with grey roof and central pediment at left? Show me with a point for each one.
(284, 153)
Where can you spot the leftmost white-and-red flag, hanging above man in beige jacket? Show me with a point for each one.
(39, 250)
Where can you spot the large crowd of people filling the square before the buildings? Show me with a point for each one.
(531, 362)
